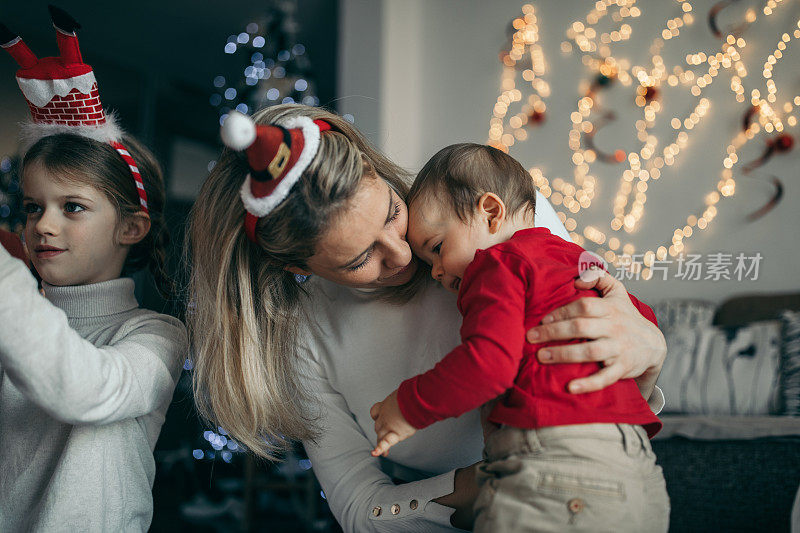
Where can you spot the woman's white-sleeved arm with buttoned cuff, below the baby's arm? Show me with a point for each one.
(359, 493)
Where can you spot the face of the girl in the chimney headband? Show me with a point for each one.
(70, 230)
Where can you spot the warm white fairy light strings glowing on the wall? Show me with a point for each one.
(648, 162)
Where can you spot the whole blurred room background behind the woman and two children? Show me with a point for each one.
(663, 133)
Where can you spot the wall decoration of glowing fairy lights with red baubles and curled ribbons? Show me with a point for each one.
(596, 40)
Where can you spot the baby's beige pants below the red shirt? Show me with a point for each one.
(591, 477)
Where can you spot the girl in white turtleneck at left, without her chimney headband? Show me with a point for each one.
(86, 376)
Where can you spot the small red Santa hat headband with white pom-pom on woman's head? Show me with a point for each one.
(277, 155)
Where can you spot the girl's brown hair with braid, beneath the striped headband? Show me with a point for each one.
(78, 159)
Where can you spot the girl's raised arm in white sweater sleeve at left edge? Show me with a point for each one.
(70, 378)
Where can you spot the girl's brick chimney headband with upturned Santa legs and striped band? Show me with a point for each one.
(62, 93)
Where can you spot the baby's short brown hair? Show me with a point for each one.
(460, 174)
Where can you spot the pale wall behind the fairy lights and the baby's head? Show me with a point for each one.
(438, 79)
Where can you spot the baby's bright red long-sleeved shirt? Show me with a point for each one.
(506, 290)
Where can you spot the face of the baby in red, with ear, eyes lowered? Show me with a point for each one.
(448, 244)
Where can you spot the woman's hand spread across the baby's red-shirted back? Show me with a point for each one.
(629, 345)
